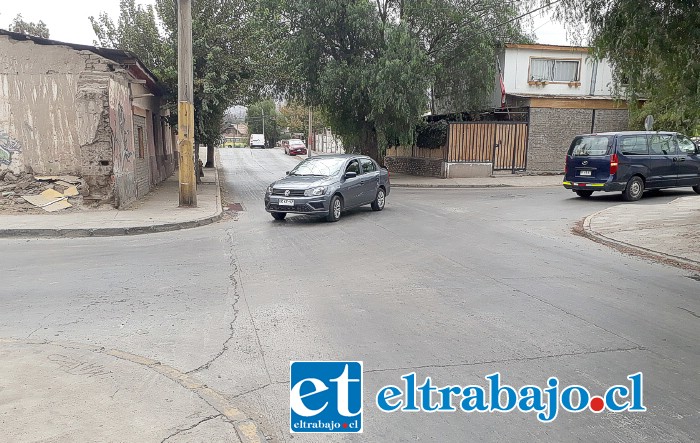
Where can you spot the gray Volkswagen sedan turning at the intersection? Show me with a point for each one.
(328, 185)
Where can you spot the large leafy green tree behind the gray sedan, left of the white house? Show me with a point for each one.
(370, 65)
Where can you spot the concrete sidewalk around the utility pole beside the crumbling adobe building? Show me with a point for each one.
(156, 212)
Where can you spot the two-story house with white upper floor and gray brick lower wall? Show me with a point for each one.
(567, 93)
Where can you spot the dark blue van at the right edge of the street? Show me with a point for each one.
(631, 162)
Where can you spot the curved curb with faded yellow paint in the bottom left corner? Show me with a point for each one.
(246, 429)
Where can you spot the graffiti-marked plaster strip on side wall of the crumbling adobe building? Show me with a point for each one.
(122, 127)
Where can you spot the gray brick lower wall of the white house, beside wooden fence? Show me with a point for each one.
(550, 133)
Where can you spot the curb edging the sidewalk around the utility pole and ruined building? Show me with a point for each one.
(114, 232)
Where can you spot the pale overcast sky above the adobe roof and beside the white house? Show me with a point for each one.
(68, 21)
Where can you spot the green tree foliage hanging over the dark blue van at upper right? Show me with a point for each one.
(654, 47)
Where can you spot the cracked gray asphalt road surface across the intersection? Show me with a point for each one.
(454, 284)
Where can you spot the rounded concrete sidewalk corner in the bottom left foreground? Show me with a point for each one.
(63, 391)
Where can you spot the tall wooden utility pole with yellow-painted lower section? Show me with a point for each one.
(185, 108)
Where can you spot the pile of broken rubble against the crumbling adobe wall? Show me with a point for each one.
(26, 192)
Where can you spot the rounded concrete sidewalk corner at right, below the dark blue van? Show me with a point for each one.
(665, 232)
